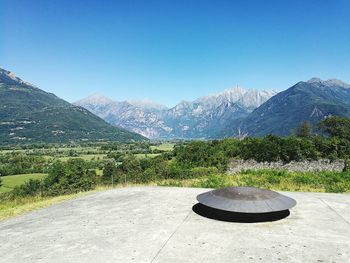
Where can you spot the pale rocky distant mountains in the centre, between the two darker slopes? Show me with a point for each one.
(201, 118)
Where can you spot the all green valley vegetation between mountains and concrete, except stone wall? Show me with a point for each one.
(194, 163)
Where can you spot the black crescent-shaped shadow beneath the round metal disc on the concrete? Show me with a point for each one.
(228, 216)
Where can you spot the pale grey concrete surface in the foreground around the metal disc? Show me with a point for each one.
(157, 224)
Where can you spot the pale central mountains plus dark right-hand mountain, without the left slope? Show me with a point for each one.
(234, 112)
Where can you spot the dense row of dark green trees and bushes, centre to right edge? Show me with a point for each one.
(200, 158)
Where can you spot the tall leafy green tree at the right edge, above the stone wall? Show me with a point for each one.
(336, 127)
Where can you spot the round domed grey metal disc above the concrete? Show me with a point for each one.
(246, 200)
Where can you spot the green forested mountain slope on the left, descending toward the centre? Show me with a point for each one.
(31, 115)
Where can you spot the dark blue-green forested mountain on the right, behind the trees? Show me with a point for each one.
(309, 101)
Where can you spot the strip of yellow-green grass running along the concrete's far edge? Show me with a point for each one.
(334, 182)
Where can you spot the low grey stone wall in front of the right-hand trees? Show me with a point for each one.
(236, 166)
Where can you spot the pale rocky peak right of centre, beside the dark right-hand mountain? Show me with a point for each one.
(204, 117)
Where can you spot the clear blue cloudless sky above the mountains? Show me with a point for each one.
(173, 50)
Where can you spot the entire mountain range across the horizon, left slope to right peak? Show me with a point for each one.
(31, 115)
